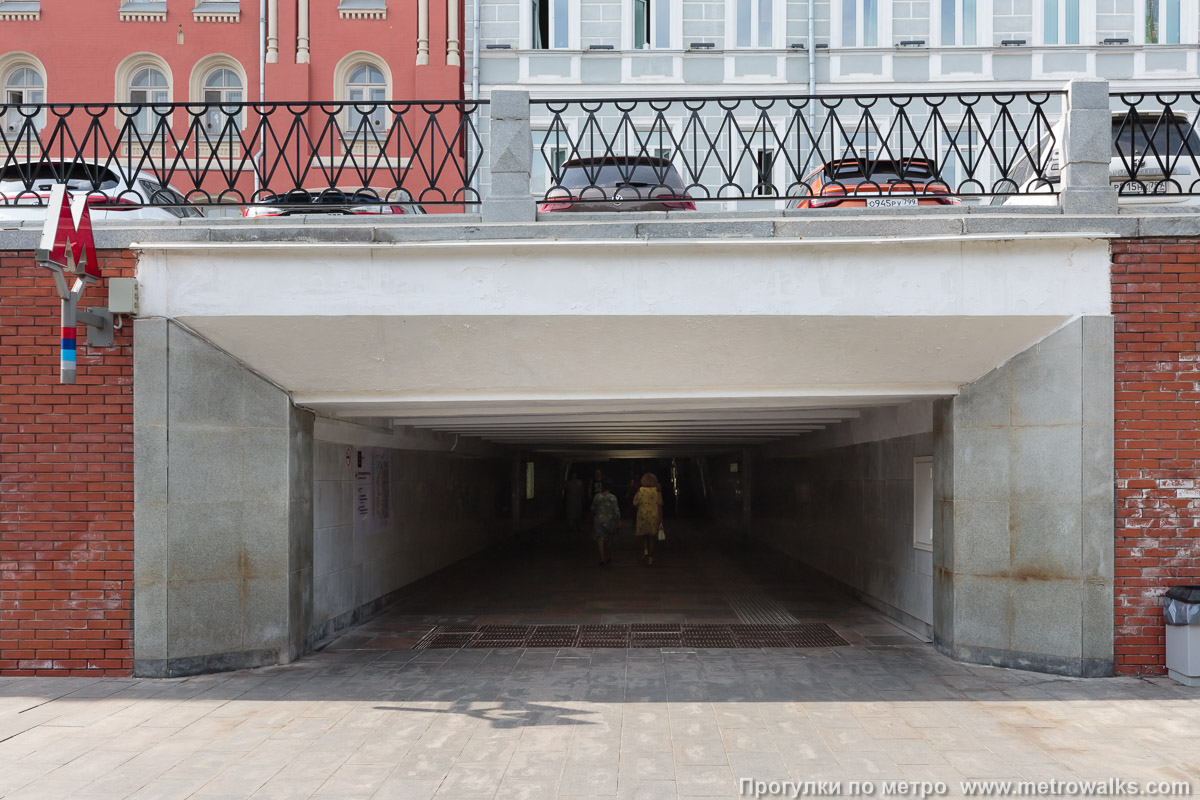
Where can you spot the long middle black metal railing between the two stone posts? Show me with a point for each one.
(802, 151)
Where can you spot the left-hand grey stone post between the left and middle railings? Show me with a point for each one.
(511, 159)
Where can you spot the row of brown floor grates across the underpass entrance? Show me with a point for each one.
(638, 635)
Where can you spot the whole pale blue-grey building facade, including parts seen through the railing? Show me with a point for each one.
(584, 52)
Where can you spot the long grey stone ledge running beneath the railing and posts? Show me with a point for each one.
(452, 230)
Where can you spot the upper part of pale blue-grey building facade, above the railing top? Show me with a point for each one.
(683, 47)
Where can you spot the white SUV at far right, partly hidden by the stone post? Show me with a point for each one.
(1155, 155)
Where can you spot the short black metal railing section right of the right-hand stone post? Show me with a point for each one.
(1155, 145)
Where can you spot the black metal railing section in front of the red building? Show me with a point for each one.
(286, 155)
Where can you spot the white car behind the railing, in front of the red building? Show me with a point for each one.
(25, 189)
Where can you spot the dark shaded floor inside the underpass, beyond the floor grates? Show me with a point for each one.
(553, 579)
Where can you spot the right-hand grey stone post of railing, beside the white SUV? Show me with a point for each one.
(1087, 149)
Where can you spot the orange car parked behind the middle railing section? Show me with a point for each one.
(885, 184)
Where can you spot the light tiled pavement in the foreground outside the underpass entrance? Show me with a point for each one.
(371, 723)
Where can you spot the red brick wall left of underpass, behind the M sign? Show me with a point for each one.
(67, 485)
